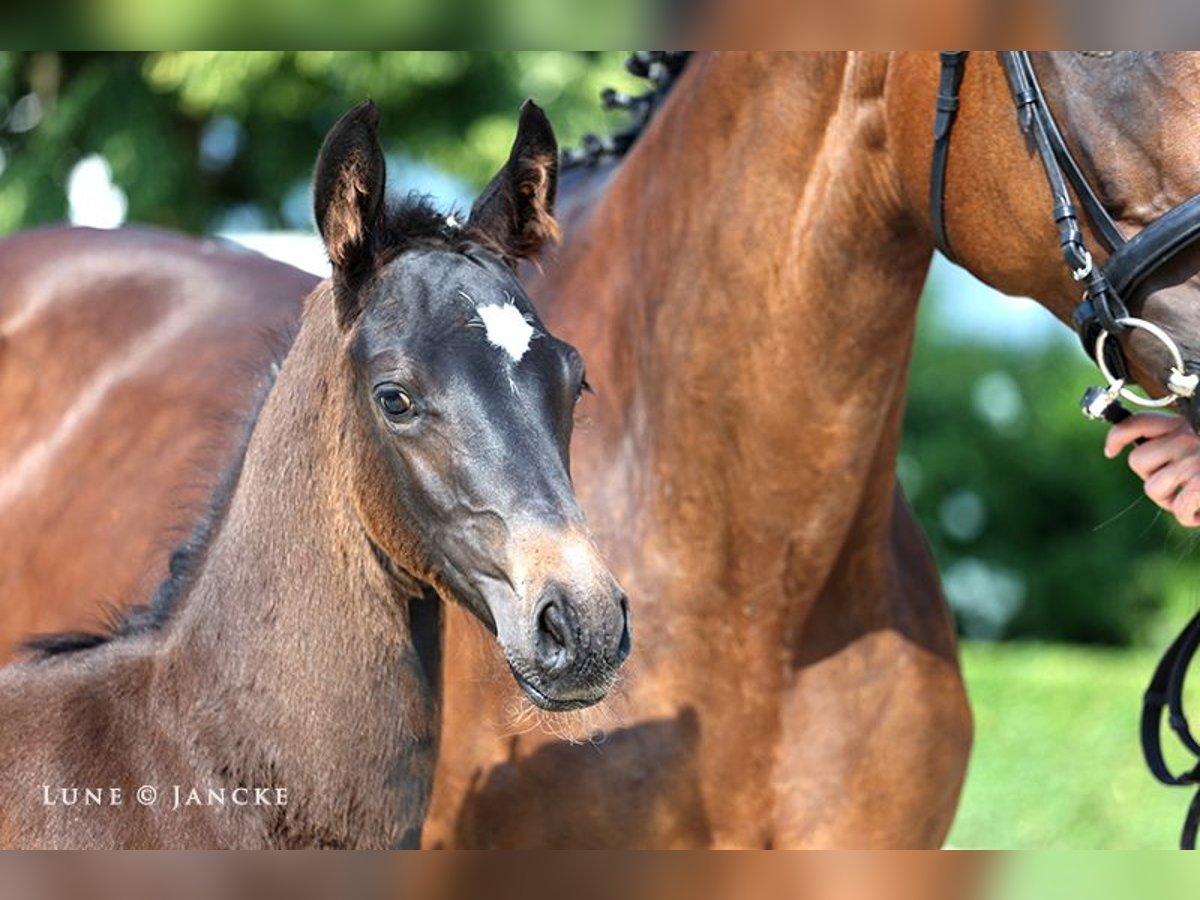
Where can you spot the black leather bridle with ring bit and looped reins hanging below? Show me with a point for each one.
(1103, 314)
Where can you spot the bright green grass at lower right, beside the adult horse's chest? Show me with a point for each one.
(1057, 760)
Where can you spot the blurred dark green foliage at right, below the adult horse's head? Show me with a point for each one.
(1036, 533)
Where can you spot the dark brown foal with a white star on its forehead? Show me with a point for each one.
(413, 451)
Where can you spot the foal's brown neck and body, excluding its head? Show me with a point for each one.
(289, 664)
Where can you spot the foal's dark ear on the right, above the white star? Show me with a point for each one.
(517, 211)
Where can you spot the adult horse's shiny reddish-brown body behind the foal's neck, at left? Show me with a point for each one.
(124, 358)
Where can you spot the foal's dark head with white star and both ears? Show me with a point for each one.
(460, 409)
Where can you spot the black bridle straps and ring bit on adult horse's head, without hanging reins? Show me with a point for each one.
(1108, 290)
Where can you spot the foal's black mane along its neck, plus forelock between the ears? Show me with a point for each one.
(409, 225)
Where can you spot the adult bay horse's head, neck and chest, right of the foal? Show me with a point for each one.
(745, 284)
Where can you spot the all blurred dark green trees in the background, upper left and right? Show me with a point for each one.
(1037, 536)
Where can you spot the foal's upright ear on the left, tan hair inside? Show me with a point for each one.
(349, 189)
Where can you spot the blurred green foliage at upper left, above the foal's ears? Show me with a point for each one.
(194, 137)
